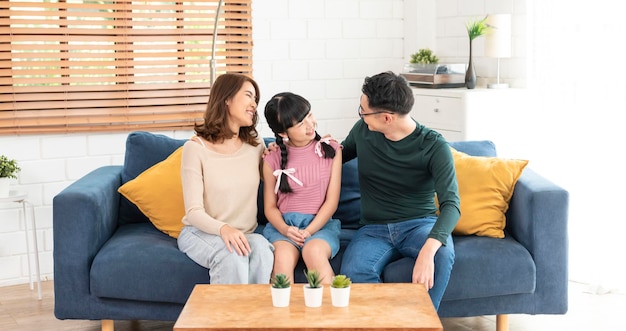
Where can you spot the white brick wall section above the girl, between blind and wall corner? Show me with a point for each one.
(323, 50)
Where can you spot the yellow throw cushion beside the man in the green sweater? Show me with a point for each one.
(485, 187)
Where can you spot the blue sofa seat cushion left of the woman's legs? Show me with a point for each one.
(141, 263)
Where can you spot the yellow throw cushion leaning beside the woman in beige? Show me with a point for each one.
(158, 193)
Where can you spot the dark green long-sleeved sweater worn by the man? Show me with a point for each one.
(398, 179)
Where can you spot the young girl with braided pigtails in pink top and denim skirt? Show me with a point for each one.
(301, 190)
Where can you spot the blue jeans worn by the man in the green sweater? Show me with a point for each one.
(376, 245)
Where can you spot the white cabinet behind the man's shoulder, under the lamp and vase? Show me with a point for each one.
(477, 114)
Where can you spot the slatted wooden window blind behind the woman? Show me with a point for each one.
(115, 65)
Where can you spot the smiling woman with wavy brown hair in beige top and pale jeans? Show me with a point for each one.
(220, 176)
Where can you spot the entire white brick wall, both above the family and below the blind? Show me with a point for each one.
(320, 49)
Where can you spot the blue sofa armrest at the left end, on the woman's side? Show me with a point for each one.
(85, 216)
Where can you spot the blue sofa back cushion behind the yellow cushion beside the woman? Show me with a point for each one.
(143, 150)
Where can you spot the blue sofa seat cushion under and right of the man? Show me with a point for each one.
(480, 262)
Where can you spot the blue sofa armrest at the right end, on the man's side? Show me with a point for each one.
(537, 218)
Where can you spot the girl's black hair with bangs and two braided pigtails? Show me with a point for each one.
(283, 111)
